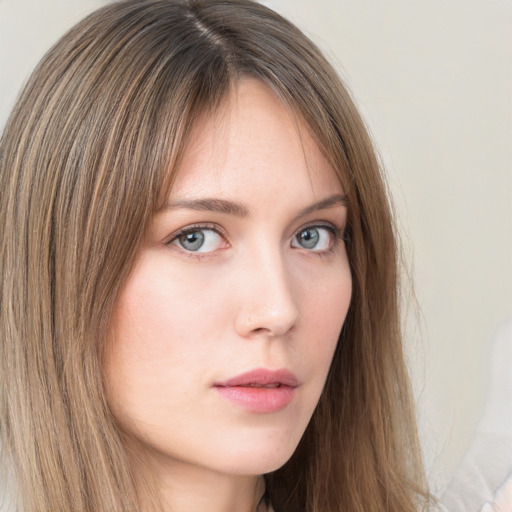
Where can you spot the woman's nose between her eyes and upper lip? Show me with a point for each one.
(268, 301)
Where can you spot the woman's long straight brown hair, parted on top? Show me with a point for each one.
(84, 158)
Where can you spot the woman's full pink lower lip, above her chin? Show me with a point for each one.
(259, 400)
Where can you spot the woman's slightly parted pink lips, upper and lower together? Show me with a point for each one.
(259, 391)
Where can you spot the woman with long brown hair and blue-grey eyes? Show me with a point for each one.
(200, 303)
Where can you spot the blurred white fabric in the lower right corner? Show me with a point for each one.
(483, 482)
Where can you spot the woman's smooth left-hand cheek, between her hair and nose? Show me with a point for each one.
(164, 330)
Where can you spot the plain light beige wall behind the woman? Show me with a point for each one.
(434, 81)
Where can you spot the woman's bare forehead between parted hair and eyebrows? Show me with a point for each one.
(253, 144)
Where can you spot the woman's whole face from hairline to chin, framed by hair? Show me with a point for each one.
(225, 329)
